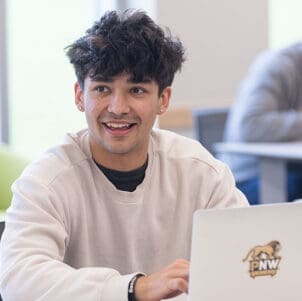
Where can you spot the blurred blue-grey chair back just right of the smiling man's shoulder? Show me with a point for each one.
(208, 126)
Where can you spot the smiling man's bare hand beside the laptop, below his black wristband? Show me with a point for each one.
(167, 283)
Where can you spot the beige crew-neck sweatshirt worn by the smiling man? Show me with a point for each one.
(71, 235)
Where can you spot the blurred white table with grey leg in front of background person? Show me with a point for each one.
(273, 159)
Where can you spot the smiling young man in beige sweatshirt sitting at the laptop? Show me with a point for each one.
(117, 199)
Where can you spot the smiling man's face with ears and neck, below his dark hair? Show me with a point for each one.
(120, 114)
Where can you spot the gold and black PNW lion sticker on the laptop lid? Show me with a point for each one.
(264, 260)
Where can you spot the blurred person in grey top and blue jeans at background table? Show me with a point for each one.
(268, 108)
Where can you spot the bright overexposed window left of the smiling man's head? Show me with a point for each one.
(40, 78)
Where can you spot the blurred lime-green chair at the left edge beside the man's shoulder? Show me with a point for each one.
(11, 166)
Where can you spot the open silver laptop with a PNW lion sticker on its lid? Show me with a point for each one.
(247, 254)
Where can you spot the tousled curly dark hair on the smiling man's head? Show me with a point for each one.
(130, 42)
